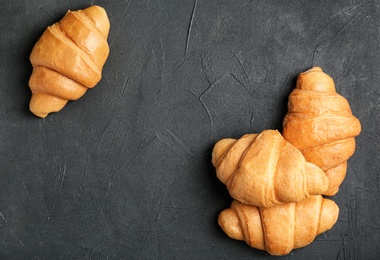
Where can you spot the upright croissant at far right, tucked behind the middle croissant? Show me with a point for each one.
(320, 123)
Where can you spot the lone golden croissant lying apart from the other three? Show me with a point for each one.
(68, 59)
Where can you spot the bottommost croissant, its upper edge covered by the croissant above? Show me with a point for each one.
(281, 228)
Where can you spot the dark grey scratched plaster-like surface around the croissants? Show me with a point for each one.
(125, 172)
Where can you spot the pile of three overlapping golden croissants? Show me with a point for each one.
(278, 181)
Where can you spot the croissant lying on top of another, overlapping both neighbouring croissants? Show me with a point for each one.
(265, 170)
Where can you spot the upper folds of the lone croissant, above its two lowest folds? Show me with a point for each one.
(76, 47)
